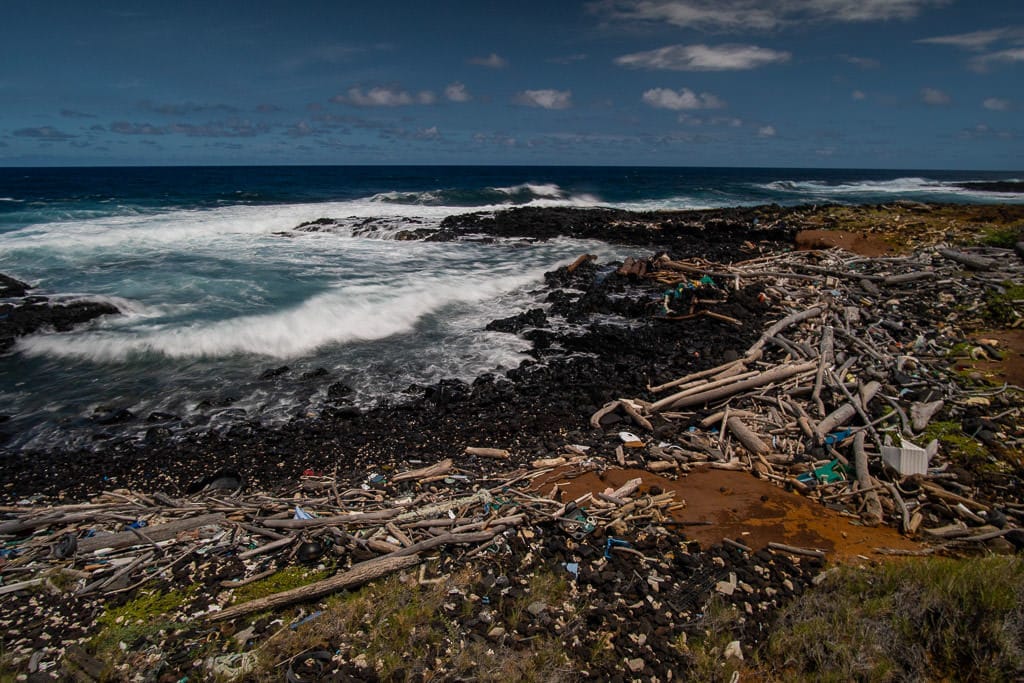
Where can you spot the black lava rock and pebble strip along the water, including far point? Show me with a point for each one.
(506, 408)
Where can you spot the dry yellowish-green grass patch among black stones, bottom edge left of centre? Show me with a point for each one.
(406, 631)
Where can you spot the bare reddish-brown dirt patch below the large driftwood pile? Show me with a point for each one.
(744, 508)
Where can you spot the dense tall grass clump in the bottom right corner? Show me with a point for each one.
(926, 620)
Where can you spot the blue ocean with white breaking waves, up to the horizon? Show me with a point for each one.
(215, 293)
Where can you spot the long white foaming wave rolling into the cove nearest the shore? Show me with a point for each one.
(346, 315)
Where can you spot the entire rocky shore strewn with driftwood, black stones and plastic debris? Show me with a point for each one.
(563, 416)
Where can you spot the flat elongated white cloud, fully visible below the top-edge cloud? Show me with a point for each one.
(704, 58)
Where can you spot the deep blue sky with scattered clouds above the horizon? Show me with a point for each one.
(907, 84)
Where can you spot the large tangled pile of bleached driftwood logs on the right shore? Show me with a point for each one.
(859, 362)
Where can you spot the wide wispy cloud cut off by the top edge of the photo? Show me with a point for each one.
(738, 16)
